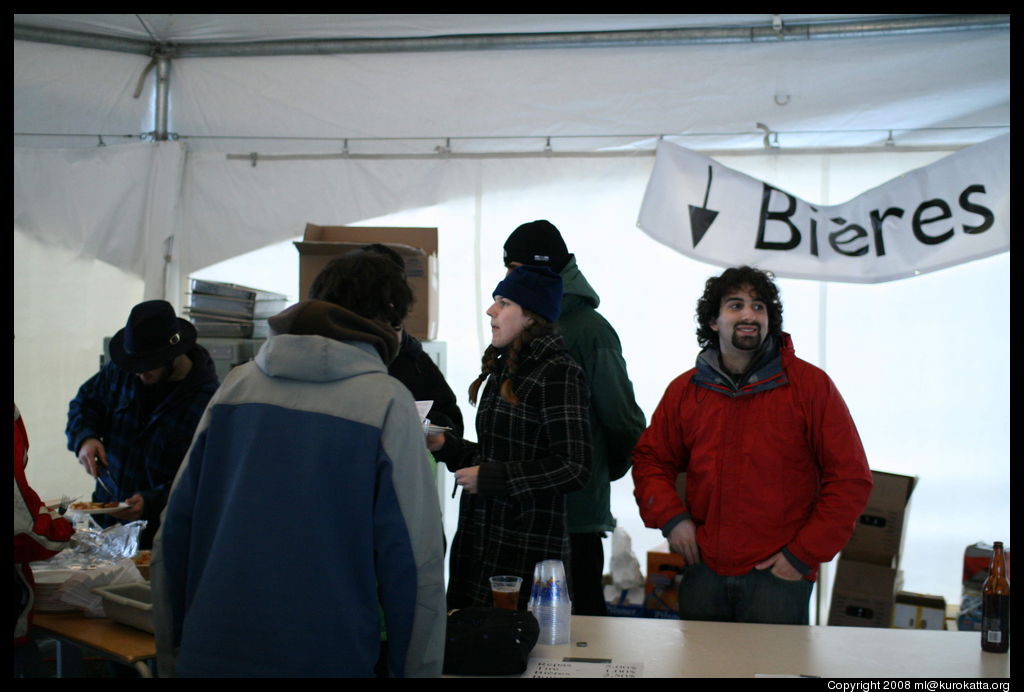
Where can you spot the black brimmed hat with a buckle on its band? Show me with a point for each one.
(153, 337)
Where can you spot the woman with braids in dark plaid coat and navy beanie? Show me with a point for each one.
(534, 448)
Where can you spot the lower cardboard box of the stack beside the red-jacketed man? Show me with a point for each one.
(864, 595)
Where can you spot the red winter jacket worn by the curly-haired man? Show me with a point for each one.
(774, 465)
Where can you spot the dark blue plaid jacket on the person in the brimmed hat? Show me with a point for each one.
(144, 451)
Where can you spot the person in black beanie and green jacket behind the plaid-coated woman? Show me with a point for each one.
(616, 420)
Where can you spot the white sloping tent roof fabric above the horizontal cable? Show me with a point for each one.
(813, 94)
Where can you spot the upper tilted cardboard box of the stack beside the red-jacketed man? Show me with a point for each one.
(879, 535)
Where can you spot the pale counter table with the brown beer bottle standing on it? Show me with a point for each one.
(680, 650)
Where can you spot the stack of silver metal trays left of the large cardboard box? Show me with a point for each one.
(228, 311)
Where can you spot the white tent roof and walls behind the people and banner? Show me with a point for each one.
(476, 124)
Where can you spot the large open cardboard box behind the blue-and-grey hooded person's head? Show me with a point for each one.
(418, 248)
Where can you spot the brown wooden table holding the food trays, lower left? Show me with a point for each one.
(115, 641)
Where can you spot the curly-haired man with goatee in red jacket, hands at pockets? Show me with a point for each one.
(776, 471)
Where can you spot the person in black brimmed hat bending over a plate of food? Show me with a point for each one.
(132, 424)
